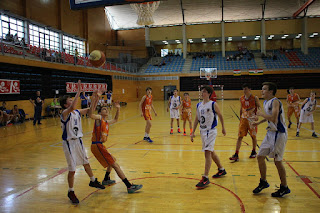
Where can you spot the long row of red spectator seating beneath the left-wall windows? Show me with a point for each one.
(43, 54)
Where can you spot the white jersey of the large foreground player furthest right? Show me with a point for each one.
(280, 126)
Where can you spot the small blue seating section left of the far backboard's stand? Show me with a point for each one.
(172, 64)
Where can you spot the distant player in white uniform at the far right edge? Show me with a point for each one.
(306, 113)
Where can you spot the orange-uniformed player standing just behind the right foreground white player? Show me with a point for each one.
(248, 108)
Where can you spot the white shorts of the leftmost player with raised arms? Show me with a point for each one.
(75, 153)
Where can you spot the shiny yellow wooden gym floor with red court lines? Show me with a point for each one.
(33, 169)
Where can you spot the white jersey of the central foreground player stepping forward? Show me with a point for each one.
(207, 115)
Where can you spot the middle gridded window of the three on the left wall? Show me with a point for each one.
(44, 38)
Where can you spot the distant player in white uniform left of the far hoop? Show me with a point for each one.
(174, 105)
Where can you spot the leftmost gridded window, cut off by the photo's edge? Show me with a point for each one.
(11, 26)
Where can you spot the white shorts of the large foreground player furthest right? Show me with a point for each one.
(274, 145)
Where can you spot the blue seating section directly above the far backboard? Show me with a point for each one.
(222, 64)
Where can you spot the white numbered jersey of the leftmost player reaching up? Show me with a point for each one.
(71, 127)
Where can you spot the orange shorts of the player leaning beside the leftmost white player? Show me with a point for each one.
(102, 154)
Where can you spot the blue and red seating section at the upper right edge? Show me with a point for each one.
(294, 59)
